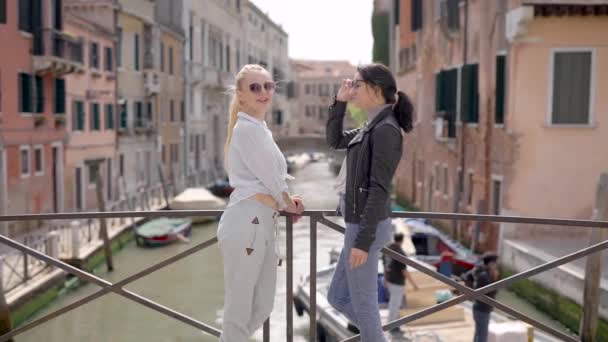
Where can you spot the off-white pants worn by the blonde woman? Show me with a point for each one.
(246, 236)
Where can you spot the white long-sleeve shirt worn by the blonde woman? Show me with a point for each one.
(255, 163)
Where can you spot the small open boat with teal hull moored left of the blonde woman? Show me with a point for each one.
(163, 231)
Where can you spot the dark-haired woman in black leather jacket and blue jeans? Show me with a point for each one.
(373, 153)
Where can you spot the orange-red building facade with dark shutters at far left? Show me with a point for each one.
(33, 108)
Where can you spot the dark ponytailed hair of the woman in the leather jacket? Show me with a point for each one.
(378, 75)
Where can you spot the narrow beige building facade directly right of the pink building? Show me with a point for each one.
(138, 62)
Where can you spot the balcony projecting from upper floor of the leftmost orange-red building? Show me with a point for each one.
(57, 53)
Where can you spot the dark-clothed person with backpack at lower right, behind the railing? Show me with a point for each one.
(483, 275)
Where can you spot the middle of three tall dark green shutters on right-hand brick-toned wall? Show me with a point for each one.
(469, 94)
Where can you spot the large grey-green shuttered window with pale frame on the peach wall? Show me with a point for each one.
(571, 94)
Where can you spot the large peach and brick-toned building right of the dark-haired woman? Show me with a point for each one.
(495, 100)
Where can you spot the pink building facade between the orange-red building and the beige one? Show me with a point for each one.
(91, 105)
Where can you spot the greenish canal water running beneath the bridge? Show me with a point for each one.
(193, 286)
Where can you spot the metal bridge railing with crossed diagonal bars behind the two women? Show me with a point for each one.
(316, 217)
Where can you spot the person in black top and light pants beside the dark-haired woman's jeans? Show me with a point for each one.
(395, 273)
